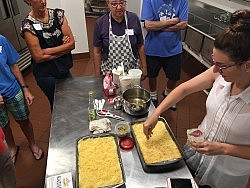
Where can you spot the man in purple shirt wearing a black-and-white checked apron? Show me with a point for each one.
(118, 39)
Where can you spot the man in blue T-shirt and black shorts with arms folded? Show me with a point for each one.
(164, 20)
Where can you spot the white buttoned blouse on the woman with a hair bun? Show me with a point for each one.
(227, 120)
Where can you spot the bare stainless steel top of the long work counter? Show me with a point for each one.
(70, 121)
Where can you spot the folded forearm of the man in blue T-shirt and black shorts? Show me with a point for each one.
(159, 25)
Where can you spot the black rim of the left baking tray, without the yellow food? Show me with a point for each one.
(122, 184)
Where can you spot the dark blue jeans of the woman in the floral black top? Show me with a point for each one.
(47, 85)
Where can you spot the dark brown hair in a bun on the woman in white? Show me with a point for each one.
(235, 39)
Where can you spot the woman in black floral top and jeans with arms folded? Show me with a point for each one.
(50, 41)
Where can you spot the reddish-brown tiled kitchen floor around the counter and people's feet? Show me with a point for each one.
(30, 173)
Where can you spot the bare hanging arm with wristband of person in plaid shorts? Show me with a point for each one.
(17, 73)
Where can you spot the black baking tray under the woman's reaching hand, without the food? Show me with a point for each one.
(164, 166)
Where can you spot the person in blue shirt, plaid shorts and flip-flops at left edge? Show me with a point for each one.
(16, 96)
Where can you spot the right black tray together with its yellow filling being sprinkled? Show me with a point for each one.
(161, 152)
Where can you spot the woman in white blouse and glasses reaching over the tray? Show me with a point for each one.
(223, 159)
